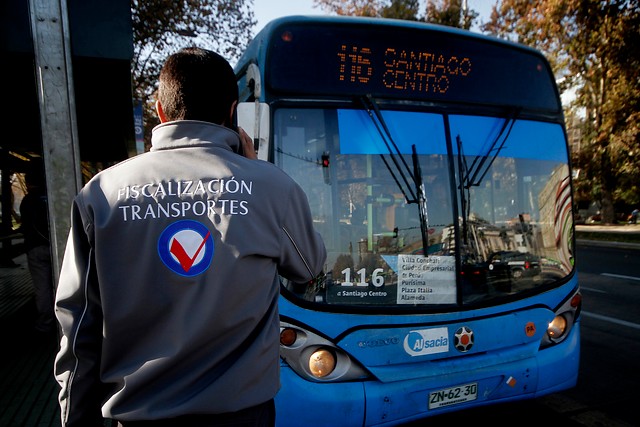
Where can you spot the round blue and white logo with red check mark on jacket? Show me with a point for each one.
(186, 247)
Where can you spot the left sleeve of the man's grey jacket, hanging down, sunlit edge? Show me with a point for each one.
(77, 364)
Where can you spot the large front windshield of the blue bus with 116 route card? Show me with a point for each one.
(493, 222)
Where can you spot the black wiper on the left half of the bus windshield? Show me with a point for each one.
(416, 192)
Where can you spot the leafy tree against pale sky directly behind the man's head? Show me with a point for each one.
(160, 27)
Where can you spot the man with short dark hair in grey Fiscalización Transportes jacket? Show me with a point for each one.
(168, 292)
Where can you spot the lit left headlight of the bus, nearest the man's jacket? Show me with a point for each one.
(316, 358)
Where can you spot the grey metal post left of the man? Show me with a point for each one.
(52, 49)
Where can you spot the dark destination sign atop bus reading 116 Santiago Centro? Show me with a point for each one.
(338, 60)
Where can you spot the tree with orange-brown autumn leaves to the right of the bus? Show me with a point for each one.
(593, 46)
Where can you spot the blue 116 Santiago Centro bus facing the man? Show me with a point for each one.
(437, 168)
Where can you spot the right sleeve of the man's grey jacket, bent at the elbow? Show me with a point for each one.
(303, 253)
